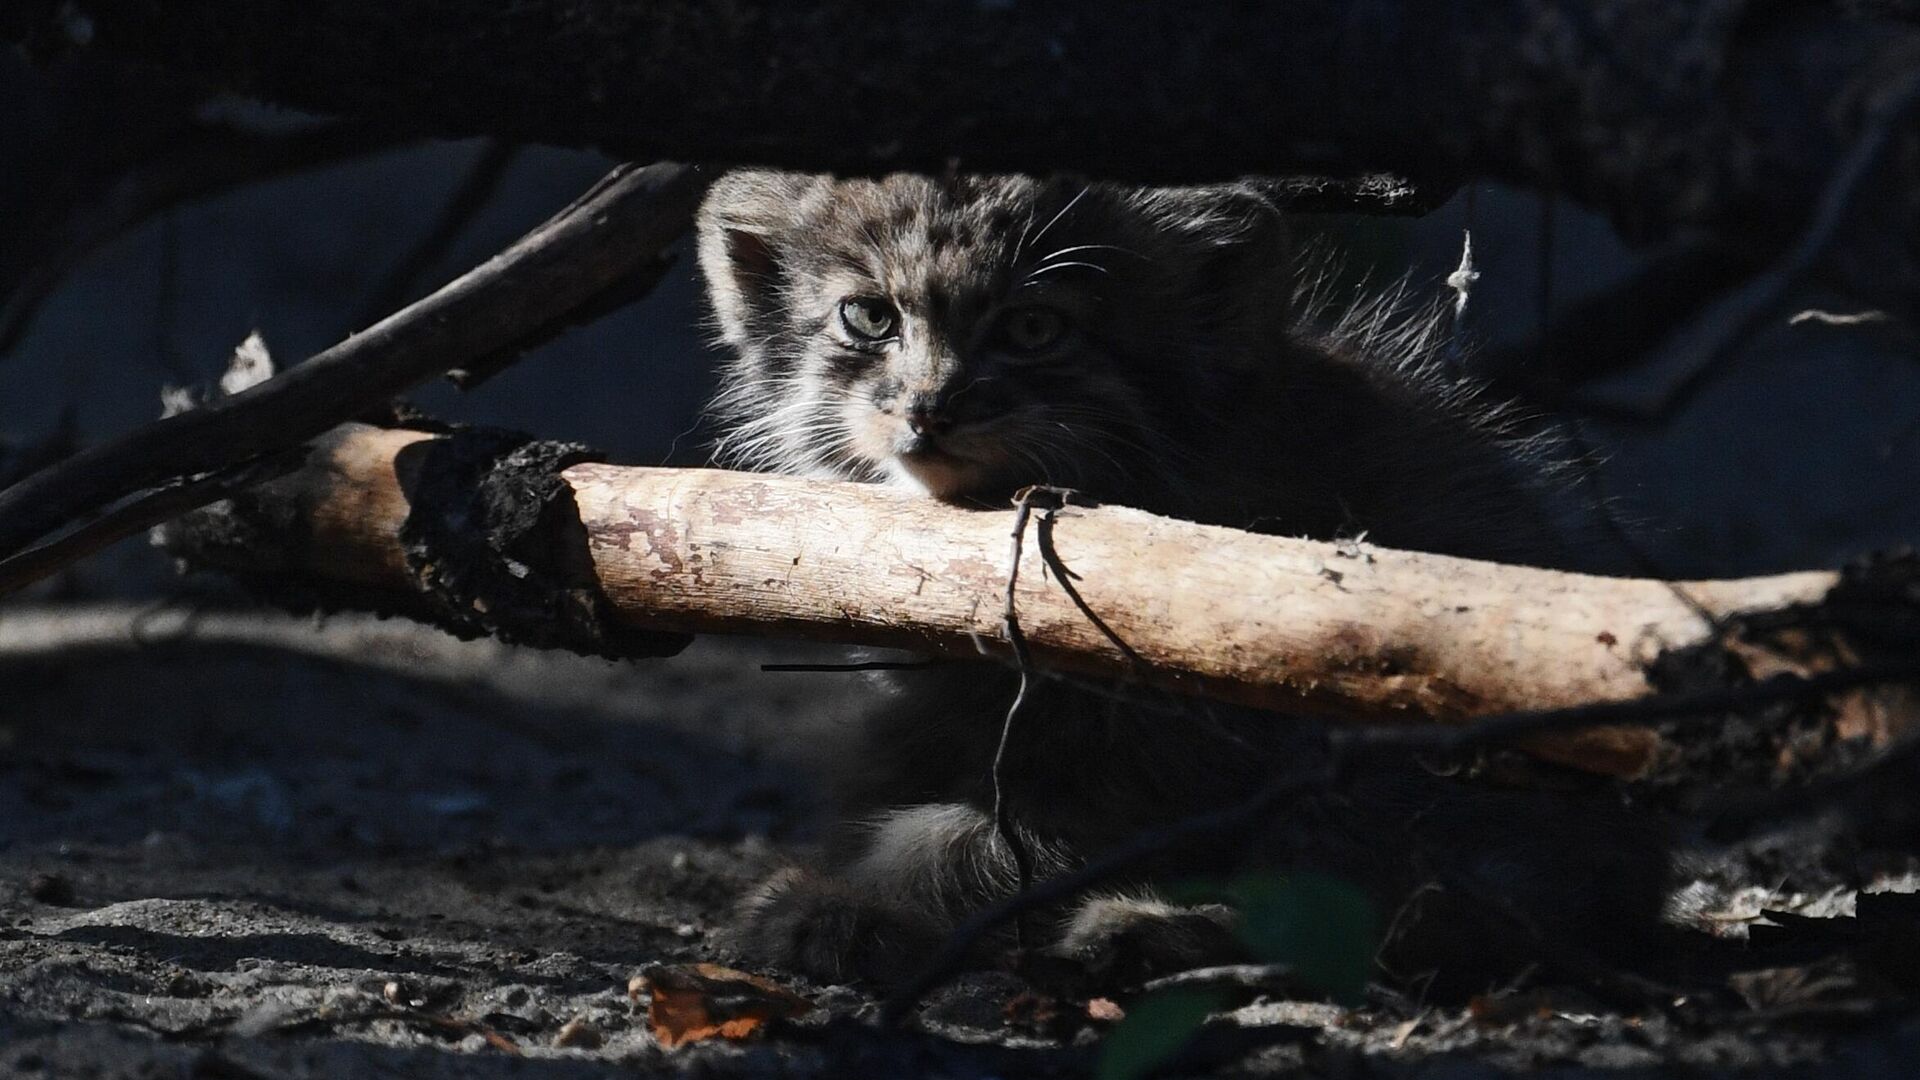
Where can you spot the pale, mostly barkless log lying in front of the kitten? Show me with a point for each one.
(1307, 627)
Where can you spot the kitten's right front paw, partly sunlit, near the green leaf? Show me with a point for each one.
(1130, 941)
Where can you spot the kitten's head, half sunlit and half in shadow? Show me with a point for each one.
(974, 335)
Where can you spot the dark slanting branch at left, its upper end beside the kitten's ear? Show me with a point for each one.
(602, 239)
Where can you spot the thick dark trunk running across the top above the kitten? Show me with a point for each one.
(1660, 114)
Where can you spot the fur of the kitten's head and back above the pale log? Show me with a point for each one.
(1201, 376)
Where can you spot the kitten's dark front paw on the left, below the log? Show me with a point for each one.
(832, 933)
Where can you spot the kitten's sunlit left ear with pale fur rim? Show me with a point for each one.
(744, 230)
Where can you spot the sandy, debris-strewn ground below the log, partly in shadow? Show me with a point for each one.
(385, 852)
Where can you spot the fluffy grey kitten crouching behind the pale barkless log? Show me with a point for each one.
(1147, 347)
